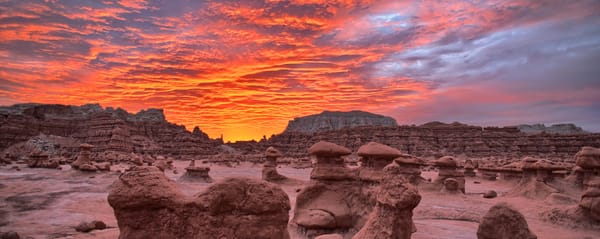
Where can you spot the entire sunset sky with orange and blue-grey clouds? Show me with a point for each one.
(244, 69)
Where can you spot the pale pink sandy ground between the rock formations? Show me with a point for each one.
(45, 203)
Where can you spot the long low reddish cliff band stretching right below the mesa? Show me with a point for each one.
(438, 139)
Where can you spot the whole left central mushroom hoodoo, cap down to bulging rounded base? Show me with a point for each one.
(335, 201)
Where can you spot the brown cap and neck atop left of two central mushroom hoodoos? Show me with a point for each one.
(330, 165)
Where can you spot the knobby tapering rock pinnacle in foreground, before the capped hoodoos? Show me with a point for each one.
(392, 215)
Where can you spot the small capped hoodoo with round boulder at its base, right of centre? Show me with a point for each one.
(448, 169)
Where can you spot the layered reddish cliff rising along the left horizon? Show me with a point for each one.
(107, 129)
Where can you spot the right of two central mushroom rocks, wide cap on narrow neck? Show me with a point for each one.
(374, 157)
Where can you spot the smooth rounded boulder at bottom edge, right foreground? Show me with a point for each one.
(504, 222)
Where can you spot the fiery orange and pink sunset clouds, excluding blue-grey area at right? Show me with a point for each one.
(243, 69)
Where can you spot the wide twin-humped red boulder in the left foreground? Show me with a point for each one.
(149, 205)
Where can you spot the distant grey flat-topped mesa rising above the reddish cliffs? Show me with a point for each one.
(334, 120)
